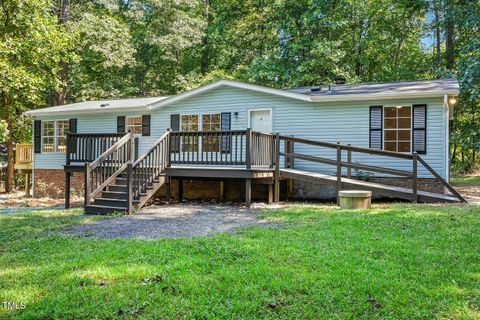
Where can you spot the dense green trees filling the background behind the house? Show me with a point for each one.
(117, 48)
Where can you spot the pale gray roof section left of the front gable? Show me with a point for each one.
(99, 105)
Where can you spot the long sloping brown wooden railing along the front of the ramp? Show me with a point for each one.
(349, 148)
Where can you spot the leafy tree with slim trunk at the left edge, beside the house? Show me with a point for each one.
(30, 50)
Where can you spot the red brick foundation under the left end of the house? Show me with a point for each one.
(51, 183)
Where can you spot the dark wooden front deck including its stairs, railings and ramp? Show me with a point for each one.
(117, 177)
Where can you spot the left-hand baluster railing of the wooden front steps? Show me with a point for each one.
(109, 165)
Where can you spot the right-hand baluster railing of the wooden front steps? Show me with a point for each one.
(149, 166)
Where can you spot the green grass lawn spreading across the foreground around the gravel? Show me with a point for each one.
(395, 261)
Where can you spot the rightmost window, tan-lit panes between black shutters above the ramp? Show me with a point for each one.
(397, 132)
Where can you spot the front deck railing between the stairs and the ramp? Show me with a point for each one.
(222, 148)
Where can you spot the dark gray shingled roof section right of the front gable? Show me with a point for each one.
(399, 87)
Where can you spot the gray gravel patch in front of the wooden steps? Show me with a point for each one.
(171, 221)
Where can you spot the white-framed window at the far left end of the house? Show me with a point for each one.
(54, 135)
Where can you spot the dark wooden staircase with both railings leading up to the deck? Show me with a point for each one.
(121, 185)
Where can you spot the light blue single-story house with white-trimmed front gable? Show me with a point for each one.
(387, 123)
